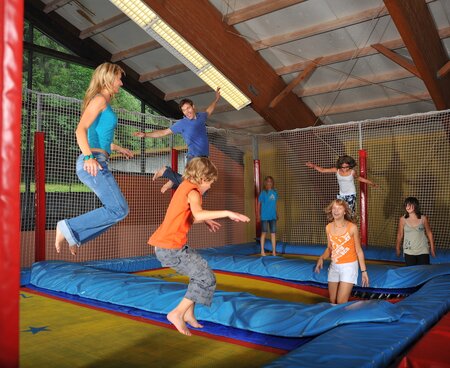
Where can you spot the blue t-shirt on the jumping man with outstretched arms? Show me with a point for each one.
(194, 134)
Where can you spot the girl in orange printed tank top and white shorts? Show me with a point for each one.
(344, 246)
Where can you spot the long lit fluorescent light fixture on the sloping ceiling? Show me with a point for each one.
(149, 21)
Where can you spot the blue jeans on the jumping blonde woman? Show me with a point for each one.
(80, 229)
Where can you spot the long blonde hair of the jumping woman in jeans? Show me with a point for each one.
(103, 77)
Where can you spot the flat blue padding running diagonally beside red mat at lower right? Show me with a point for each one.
(371, 344)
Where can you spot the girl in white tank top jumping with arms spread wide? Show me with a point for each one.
(345, 176)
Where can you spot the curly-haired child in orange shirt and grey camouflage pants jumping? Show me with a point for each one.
(170, 239)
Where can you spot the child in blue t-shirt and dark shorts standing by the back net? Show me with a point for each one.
(268, 211)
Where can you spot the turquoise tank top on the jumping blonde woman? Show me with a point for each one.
(101, 131)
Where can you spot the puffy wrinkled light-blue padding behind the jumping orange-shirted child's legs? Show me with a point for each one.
(239, 310)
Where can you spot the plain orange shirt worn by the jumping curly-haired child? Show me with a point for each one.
(172, 233)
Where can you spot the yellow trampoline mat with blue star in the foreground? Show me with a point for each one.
(59, 334)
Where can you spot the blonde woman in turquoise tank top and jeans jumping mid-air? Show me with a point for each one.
(95, 133)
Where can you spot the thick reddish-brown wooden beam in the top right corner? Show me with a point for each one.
(416, 26)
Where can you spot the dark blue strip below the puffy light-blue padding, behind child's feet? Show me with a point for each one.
(278, 342)
